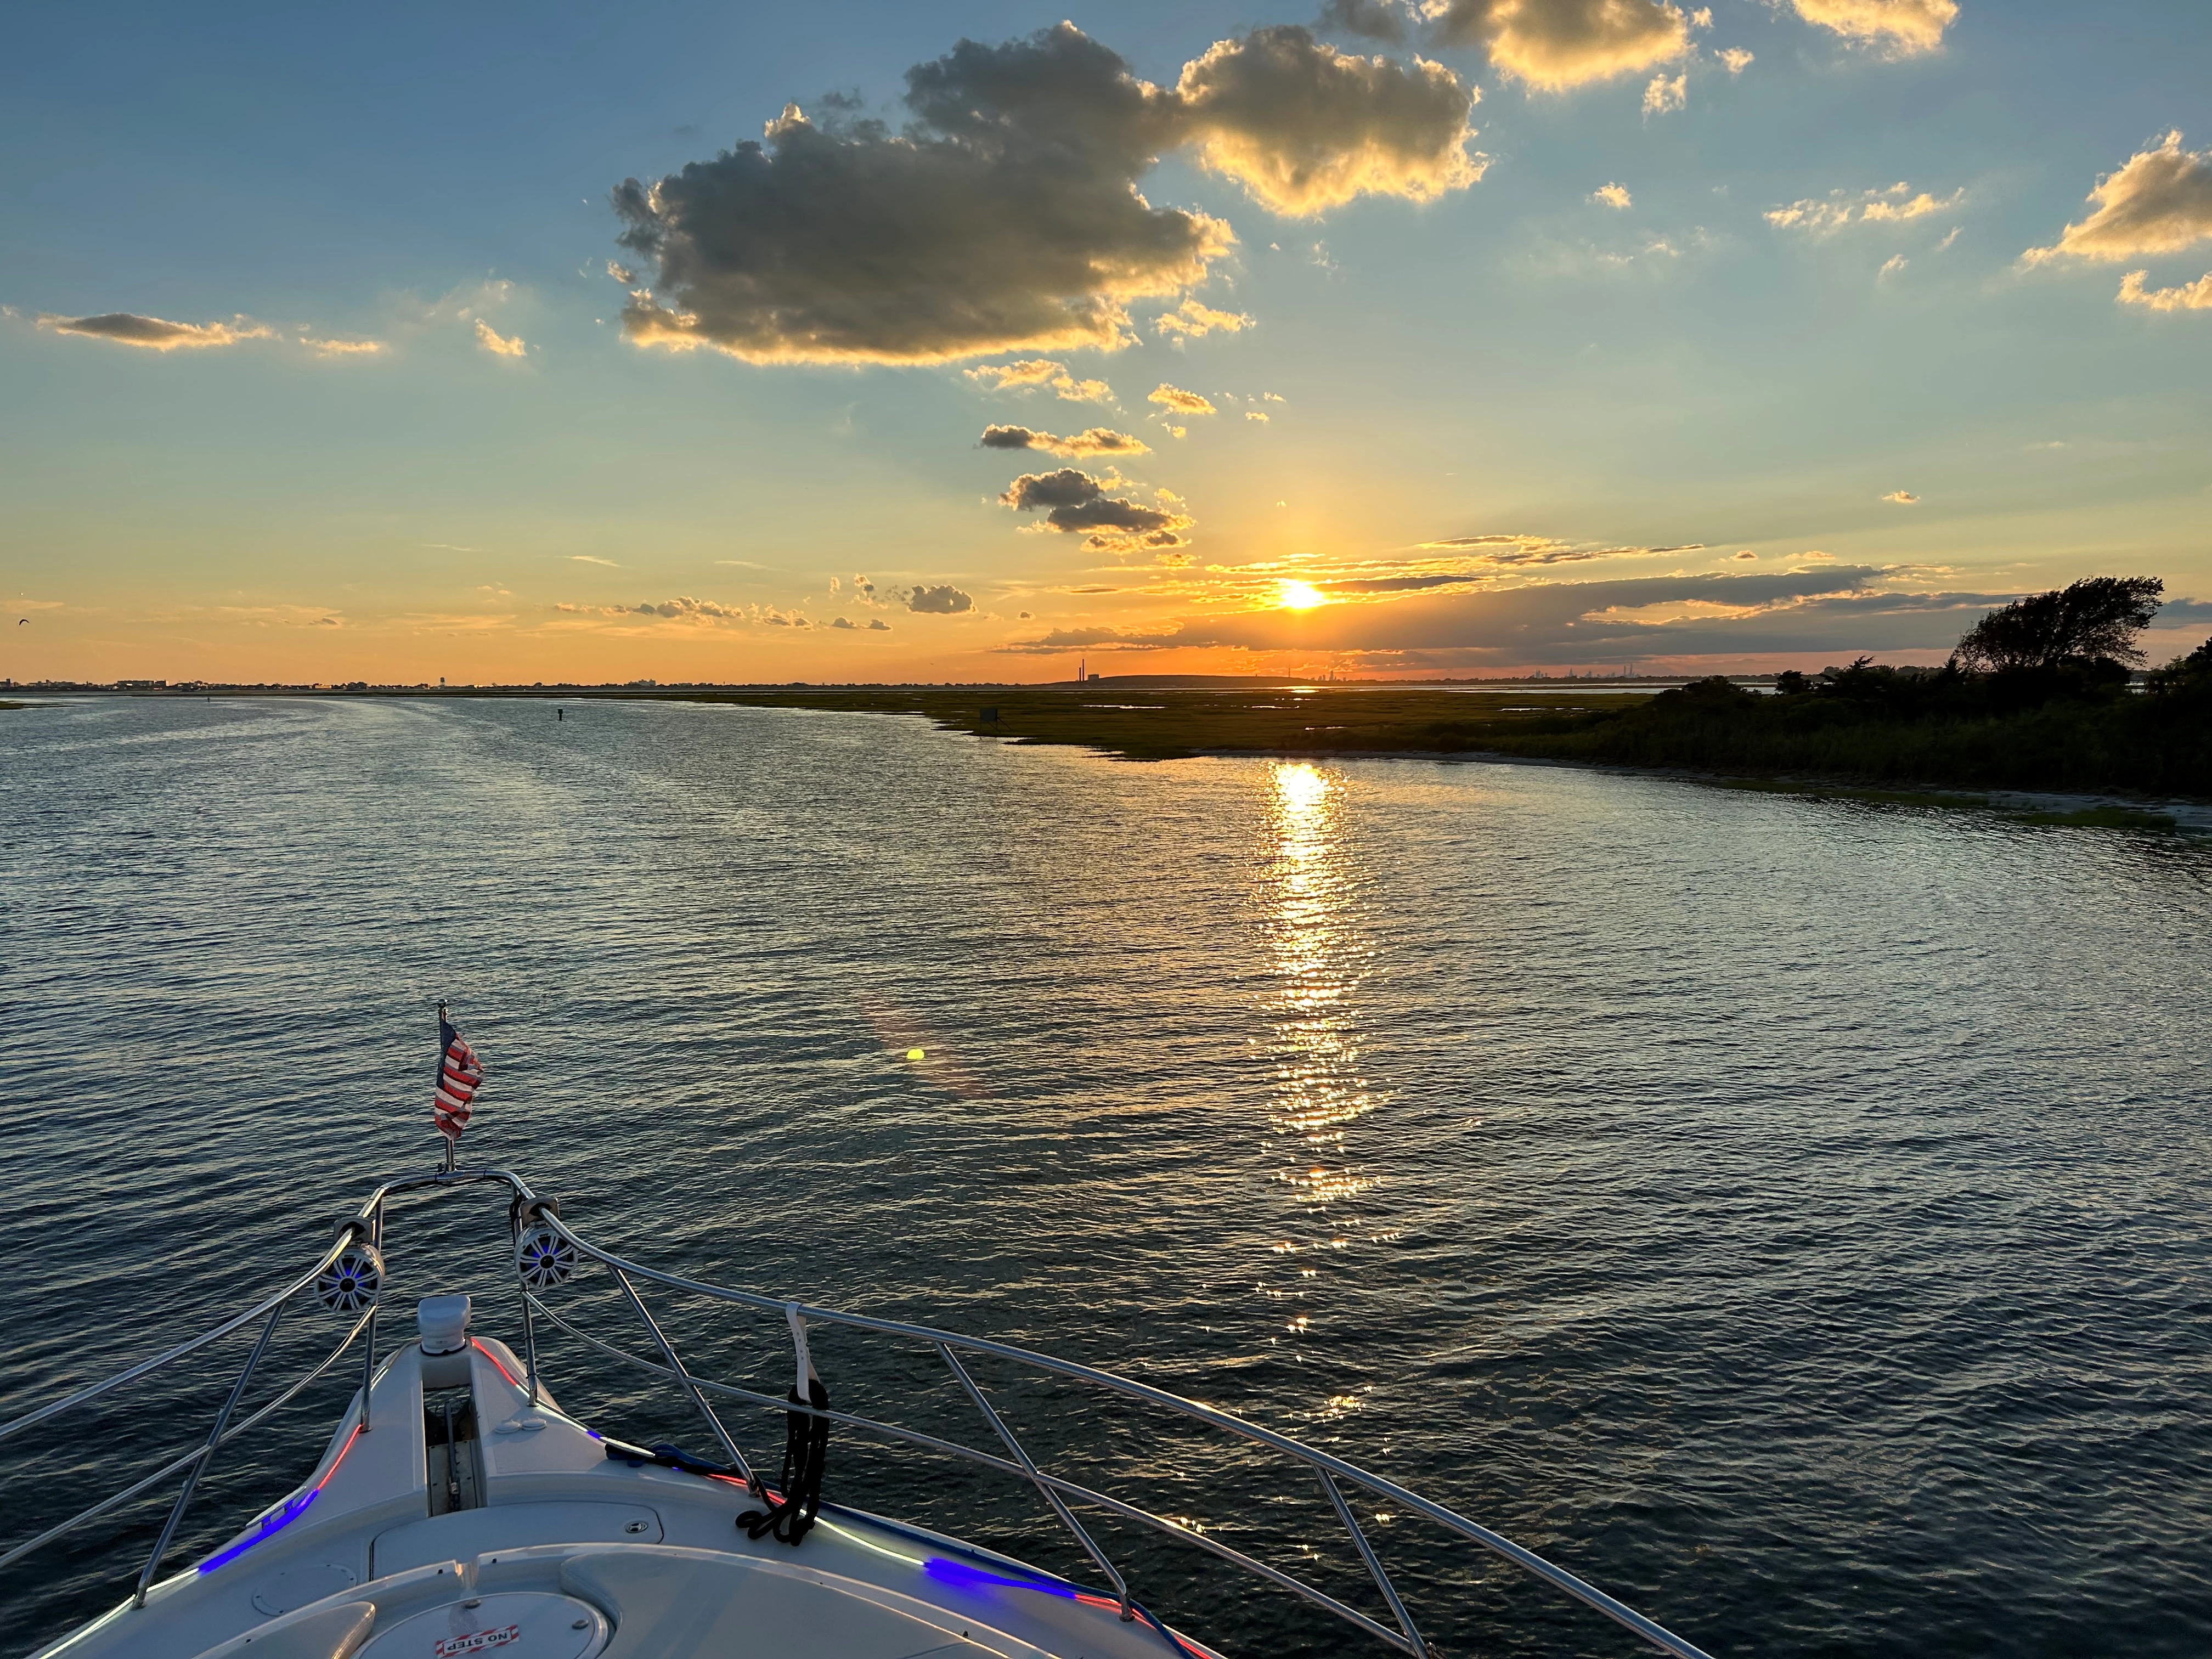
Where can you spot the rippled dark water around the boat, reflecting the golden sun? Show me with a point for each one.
(1788, 1215)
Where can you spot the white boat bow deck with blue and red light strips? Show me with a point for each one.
(530, 1538)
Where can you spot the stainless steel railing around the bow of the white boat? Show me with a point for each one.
(534, 1213)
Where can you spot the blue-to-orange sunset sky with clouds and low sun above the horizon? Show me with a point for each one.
(959, 342)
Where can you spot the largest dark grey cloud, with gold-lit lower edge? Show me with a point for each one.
(1005, 216)
